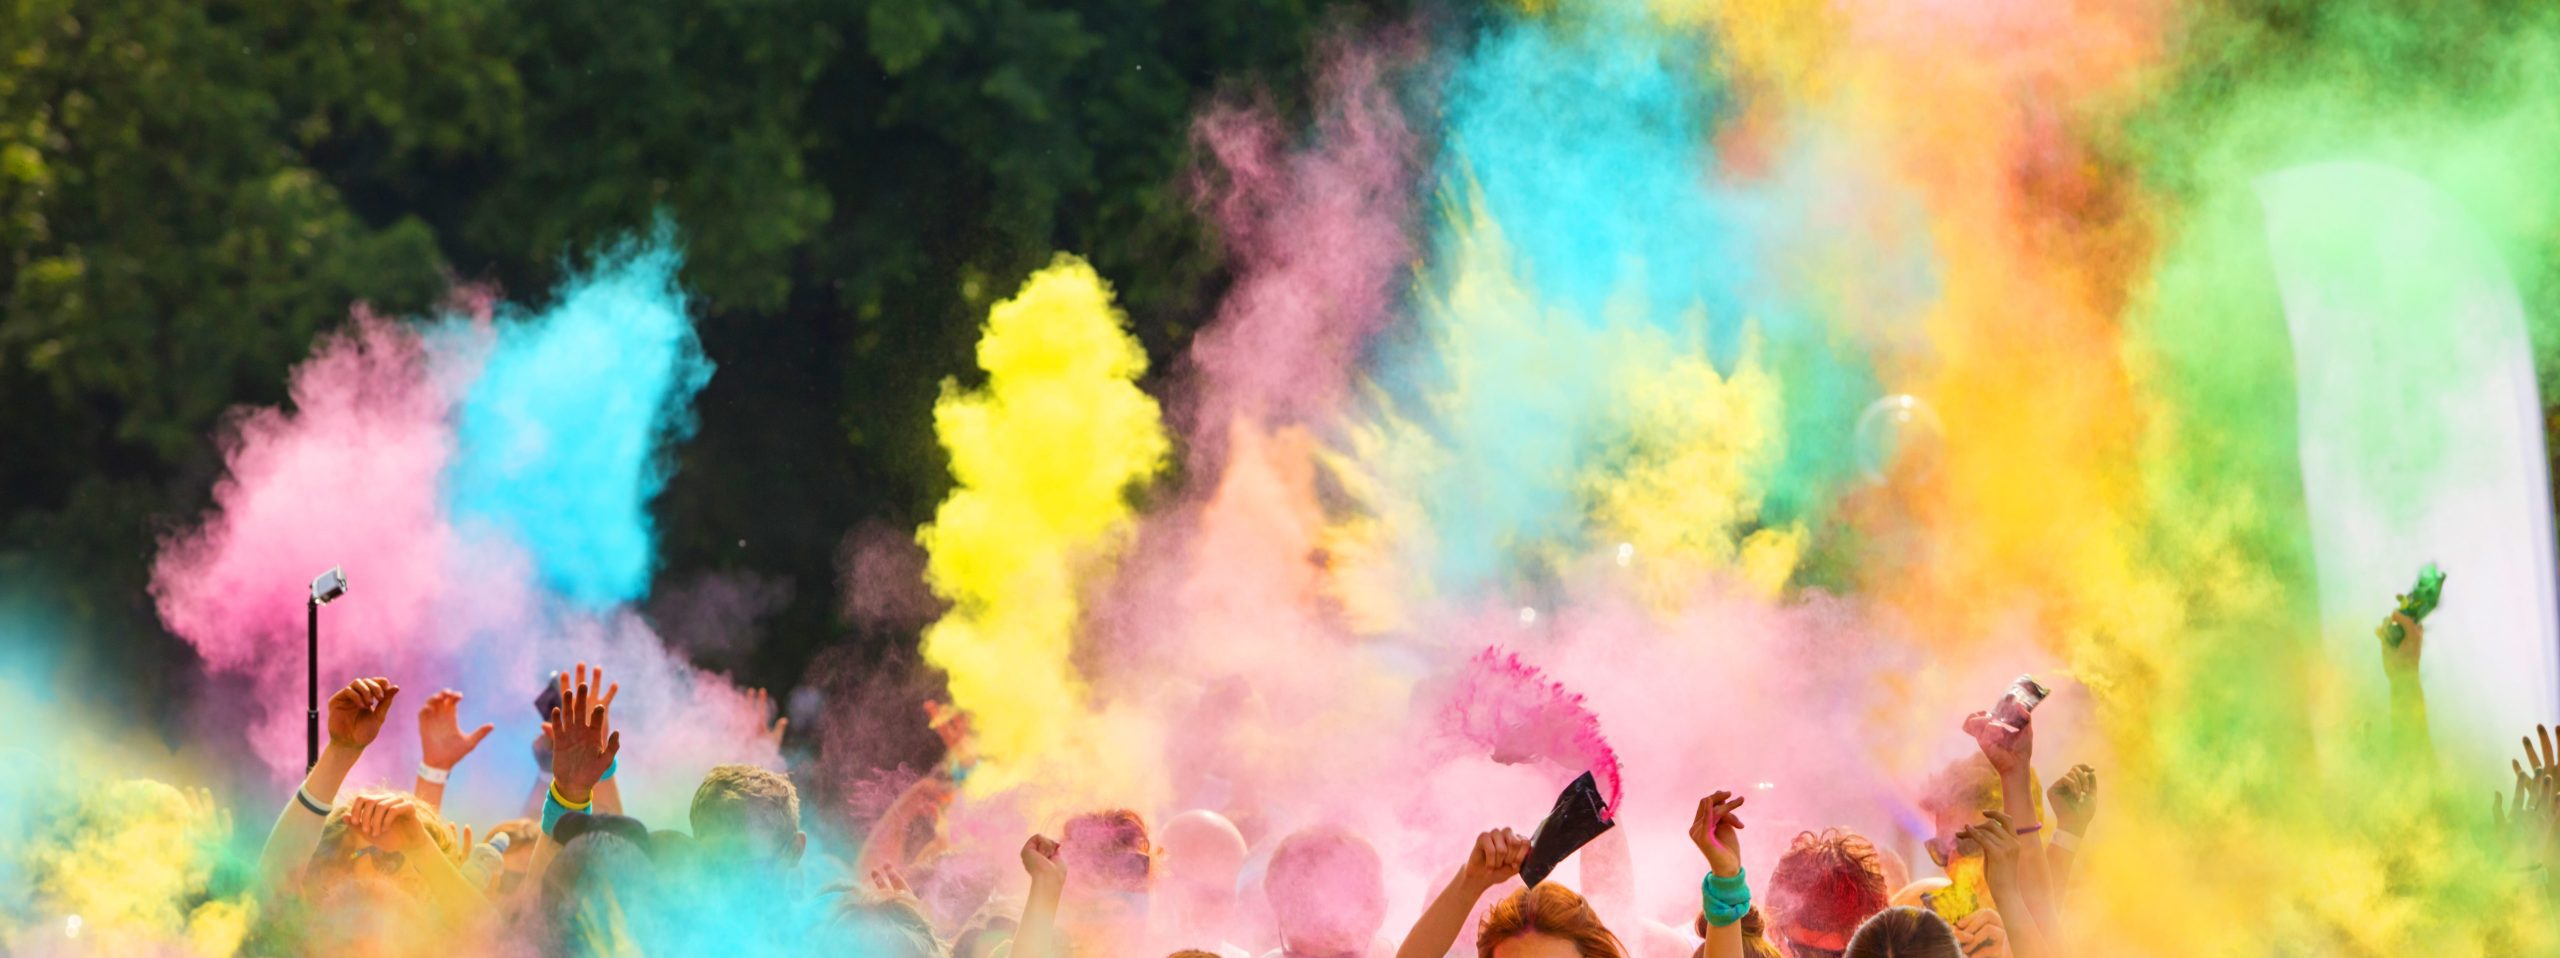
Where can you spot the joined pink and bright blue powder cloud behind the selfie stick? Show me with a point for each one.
(421, 457)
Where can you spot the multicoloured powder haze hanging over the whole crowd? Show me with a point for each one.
(1530, 444)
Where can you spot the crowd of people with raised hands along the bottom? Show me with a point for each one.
(383, 872)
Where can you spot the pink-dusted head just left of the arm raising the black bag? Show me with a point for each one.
(1327, 893)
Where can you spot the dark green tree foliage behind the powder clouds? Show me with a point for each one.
(193, 191)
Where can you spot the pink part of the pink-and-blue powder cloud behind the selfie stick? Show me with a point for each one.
(344, 478)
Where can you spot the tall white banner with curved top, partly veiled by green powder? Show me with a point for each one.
(2420, 439)
